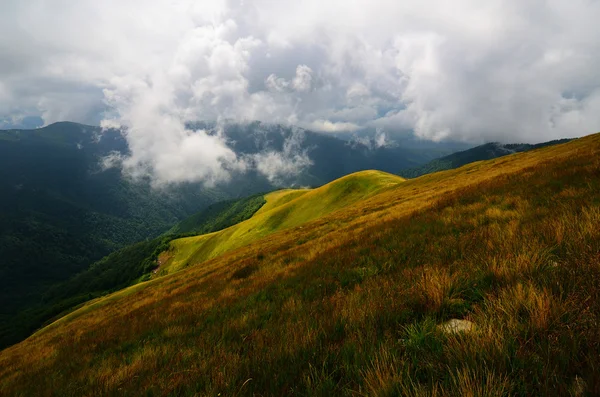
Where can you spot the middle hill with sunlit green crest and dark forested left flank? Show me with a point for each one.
(138, 262)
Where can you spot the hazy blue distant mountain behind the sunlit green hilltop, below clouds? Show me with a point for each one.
(330, 157)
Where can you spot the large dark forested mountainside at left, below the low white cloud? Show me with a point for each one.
(60, 211)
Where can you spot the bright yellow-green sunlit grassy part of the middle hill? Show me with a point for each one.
(284, 209)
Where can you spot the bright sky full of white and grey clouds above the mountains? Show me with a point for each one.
(466, 70)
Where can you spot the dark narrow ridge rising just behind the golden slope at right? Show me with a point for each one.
(484, 152)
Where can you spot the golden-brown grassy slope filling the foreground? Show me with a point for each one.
(348, 303)
